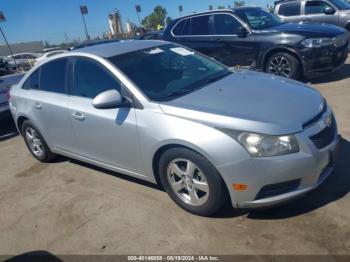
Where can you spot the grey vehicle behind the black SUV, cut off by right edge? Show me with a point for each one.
(335, 12)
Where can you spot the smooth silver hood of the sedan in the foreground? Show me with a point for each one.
(250, 101)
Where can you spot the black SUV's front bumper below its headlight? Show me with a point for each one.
(318, 61)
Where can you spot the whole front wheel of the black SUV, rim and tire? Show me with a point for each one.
(283, 64)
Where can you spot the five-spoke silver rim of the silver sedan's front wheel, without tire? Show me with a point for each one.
(188, 182)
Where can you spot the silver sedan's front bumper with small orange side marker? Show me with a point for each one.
(305, 171)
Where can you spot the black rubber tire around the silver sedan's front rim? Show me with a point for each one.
(217, 189)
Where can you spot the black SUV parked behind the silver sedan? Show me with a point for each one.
(258, 39)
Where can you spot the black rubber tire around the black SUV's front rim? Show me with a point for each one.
(295, 67)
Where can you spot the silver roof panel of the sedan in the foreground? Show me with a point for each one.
(118, 48)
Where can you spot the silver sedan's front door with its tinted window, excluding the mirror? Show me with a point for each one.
(108, 136)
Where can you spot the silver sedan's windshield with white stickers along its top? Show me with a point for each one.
(169, 71)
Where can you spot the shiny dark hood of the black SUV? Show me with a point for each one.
(309, 29)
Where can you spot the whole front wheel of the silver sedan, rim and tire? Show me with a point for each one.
(192, 181)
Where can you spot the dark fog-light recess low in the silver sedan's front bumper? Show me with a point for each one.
(278, 189)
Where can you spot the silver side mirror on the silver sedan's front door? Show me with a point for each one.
(111, 99)
